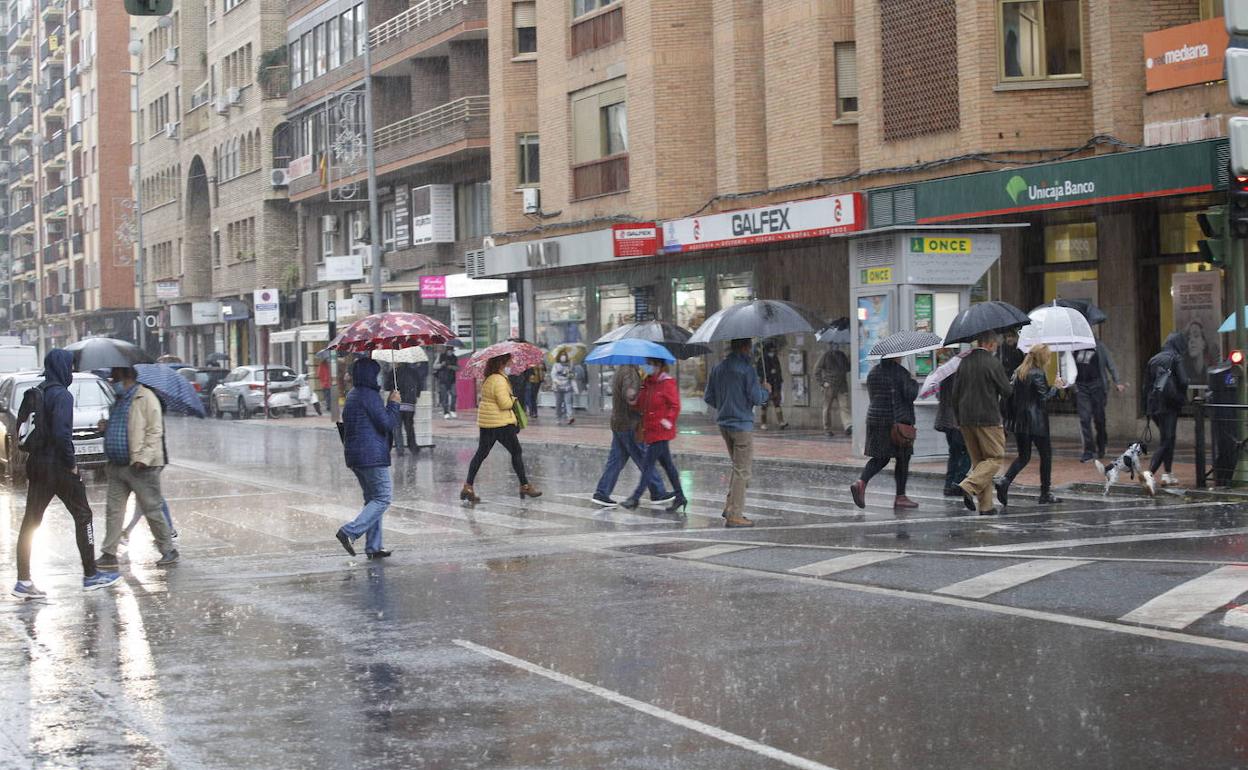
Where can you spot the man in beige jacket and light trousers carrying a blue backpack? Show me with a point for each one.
(134, 442)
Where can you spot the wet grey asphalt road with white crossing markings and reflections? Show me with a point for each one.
(551, 635)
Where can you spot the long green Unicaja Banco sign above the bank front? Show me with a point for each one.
(1105, 179)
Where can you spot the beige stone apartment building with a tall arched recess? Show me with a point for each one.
(210, 132)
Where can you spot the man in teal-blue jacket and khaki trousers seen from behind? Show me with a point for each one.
(733, 391)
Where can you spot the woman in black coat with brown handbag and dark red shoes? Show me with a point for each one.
(890, 424)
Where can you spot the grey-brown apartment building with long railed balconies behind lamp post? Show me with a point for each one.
(431, 119)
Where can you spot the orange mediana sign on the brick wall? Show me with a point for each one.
(1185, 56)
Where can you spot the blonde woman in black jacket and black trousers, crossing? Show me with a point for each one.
(1031, 424)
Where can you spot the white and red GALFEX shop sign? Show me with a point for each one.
(833, 215)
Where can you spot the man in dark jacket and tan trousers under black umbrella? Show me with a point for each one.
(978, 392)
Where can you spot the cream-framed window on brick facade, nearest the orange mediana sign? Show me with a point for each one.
(1041, 39)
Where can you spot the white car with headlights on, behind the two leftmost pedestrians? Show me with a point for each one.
(93, 399)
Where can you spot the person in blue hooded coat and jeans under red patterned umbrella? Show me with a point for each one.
(368, 426)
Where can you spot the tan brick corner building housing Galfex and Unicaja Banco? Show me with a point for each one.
(749, 132)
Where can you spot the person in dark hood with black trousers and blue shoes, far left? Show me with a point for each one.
(52, 471)
